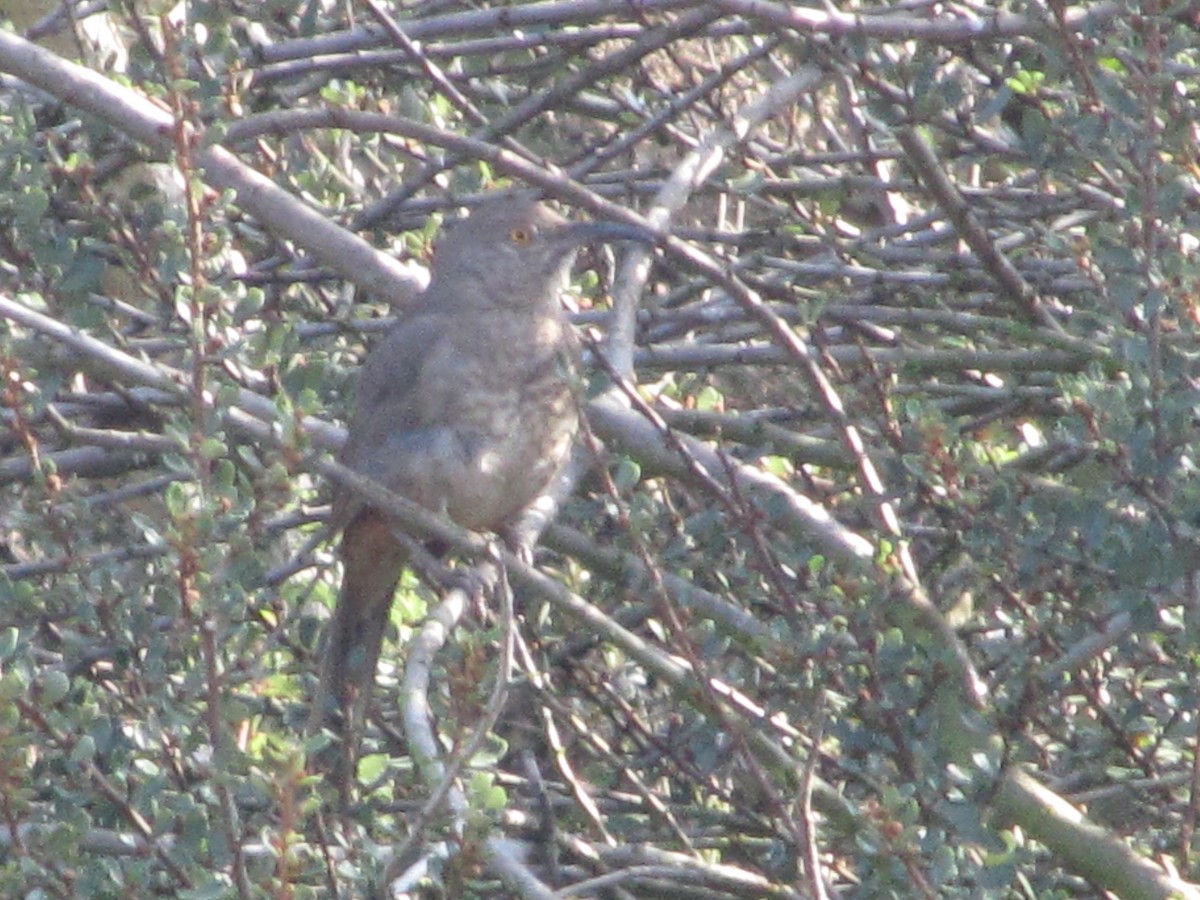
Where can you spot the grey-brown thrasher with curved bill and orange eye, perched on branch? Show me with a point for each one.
(466, 409)
